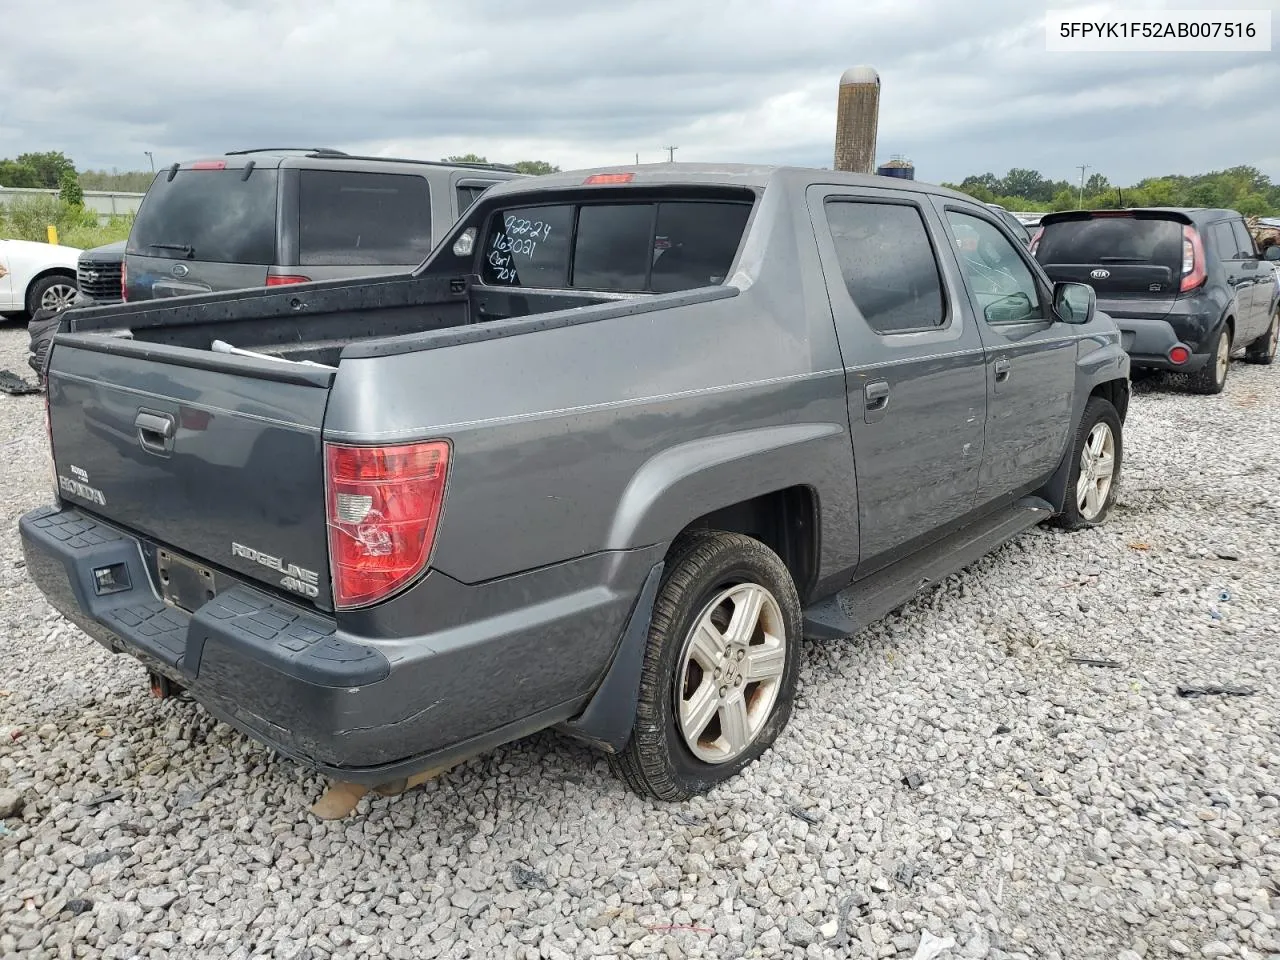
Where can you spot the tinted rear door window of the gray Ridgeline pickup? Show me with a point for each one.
(888, 264)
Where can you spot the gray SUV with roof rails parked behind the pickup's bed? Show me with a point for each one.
(275, 217)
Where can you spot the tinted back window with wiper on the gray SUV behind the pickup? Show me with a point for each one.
(216, 216)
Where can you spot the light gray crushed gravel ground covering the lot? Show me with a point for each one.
(1062, 810)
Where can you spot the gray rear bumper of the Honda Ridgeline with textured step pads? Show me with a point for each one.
(356, 708)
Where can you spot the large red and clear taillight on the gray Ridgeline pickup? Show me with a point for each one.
(383, 509)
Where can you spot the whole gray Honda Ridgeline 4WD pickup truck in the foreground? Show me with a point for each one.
(598, 464)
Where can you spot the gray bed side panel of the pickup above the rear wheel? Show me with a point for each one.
(615, 435)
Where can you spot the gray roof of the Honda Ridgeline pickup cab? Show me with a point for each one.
(719, 175)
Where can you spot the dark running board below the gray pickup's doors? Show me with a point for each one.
(867, 601)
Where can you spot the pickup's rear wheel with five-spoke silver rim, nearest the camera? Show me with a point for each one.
(720, 669)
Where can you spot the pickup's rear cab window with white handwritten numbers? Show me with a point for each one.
(627, 246)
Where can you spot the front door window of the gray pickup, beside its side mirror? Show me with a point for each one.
(999, 278)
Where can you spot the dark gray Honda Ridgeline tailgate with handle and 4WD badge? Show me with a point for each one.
(216, 459)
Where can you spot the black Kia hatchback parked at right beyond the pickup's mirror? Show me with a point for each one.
(1187, 286)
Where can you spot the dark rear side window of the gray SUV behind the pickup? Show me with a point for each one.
(350, 218)
